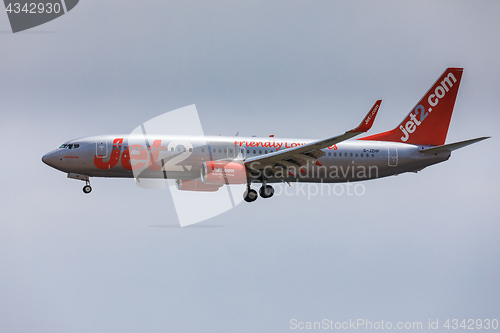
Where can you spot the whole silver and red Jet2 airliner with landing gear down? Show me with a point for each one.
(206, 163)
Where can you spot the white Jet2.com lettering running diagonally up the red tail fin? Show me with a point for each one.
(433, 100)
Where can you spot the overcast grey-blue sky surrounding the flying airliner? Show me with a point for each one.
(414, 247)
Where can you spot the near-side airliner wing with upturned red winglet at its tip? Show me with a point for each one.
(299, 156)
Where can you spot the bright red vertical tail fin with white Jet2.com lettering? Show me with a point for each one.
(428, 122)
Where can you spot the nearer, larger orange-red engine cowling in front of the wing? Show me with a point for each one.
(221, 173)
